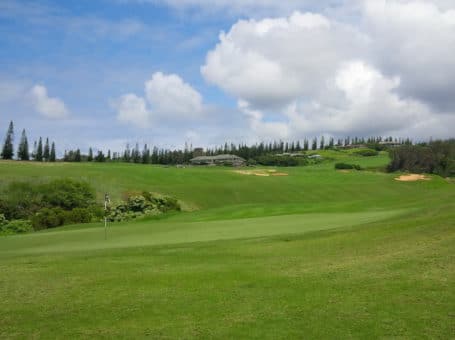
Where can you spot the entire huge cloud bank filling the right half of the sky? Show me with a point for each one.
(309, 73)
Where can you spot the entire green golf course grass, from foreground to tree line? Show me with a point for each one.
(315, 254)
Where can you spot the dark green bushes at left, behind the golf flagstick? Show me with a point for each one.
(27, 206)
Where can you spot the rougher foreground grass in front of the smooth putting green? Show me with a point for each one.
(392, 278)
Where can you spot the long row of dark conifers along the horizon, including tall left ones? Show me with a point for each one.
(44, 150)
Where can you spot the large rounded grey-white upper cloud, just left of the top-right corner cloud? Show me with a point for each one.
(273, 61)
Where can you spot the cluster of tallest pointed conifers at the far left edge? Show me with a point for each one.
(41, 151)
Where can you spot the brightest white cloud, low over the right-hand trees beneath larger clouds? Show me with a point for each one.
(366, 103)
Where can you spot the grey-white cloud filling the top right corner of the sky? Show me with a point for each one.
(414, 39)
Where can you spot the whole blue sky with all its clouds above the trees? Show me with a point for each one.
(104, 73)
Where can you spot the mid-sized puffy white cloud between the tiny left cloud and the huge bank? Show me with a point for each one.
(167, 98)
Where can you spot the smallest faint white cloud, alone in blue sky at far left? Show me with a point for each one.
(53, 108)
